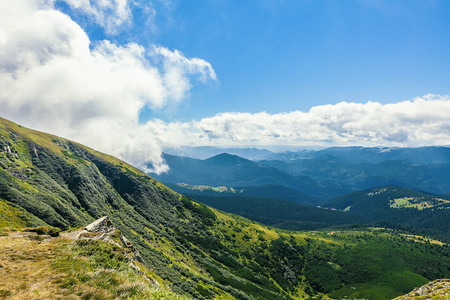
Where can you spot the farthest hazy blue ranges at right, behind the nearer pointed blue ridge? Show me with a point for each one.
(358, 168)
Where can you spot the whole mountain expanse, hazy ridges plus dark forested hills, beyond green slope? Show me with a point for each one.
(345, 182)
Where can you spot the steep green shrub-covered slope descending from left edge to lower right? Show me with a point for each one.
(196, 250)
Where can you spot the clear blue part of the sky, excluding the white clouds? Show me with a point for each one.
(281, 56)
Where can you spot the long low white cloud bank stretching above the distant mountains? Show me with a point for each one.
(423, 121)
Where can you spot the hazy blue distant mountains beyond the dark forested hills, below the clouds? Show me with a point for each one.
(324, 173)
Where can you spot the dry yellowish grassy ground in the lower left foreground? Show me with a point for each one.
(62, 269)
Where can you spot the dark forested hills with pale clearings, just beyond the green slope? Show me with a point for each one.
(392, 206)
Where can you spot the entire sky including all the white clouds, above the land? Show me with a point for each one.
(132, 77)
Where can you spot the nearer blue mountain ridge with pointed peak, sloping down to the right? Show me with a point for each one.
(231, 170)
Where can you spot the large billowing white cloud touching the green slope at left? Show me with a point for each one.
(52, 80)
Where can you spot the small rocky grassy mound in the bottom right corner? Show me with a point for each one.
(438, 289)
